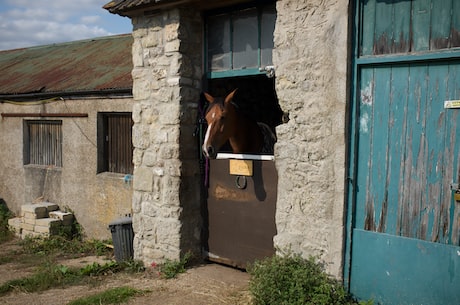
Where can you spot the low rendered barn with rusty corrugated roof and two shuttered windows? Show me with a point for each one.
(65, 129)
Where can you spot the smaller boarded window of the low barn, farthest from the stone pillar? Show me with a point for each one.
(43, 143)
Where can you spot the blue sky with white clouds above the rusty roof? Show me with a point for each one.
(25, 23)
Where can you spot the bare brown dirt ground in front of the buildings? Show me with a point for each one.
(207, 284)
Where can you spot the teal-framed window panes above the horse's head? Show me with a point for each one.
(240, 42)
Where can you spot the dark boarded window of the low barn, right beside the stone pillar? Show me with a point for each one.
(115, 148)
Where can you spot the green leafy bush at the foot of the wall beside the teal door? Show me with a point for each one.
(293, 280)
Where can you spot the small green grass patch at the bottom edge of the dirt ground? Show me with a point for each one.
(112, 296)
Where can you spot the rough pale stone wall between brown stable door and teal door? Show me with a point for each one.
(310, 57)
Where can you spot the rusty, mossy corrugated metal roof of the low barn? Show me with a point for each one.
(81, 66)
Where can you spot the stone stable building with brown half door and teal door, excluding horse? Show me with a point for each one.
(364, 99)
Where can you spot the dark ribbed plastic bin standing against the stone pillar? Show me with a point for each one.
(122, 237)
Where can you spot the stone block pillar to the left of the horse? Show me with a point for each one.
(167, 81)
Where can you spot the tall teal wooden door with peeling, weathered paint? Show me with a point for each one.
(403, 242)
